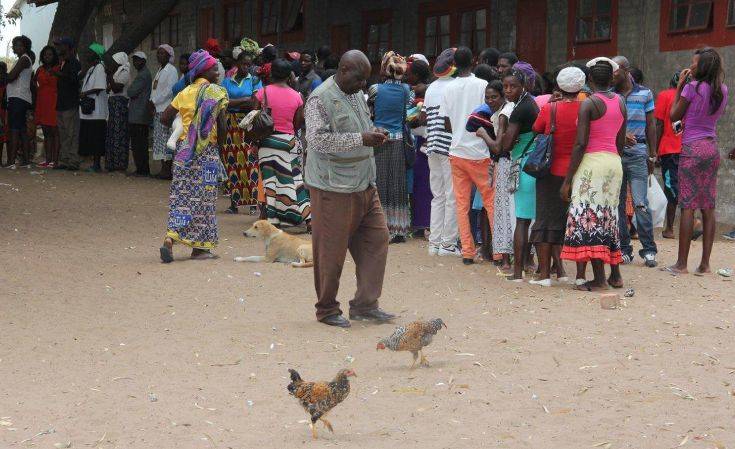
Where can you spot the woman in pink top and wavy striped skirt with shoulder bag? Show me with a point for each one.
(286, 198)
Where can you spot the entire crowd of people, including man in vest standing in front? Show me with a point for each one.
(365, 156)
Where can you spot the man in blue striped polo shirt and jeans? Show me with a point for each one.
(638, 157)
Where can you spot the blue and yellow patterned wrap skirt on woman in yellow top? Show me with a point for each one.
(193, 199)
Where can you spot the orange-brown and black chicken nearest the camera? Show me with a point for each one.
(318, 398)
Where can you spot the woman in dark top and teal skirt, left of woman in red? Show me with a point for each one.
(519, 141)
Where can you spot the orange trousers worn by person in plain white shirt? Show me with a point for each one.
(465, 173)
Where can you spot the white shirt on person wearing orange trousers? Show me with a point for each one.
(461, 97)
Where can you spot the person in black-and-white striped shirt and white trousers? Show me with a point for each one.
(444, 232)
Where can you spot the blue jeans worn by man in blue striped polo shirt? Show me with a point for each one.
(635, 172)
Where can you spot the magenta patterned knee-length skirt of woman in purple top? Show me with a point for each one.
(698, 164)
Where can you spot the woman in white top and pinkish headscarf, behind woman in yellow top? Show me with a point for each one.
(161, 95)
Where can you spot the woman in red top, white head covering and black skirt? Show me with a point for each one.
(559, 119)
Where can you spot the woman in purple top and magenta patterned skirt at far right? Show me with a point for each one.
(699, 104)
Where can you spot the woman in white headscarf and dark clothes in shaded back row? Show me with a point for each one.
(117, 143)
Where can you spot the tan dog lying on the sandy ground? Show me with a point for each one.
(279, 246)
